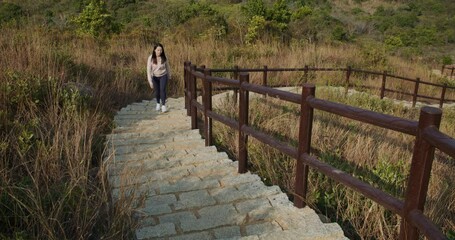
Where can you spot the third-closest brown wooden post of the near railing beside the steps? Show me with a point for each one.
(243, 120)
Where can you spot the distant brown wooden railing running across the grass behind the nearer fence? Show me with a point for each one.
(386, 77)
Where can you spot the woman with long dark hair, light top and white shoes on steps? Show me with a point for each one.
(158, 73)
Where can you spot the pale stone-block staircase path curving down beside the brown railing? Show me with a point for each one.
(184, 190)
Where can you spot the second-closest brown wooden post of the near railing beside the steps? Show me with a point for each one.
(305, 128)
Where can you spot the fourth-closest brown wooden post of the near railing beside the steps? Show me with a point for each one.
(207, 107)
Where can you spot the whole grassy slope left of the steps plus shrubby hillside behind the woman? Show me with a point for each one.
(67, 66)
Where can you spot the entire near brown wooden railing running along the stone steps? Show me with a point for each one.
(428, 137)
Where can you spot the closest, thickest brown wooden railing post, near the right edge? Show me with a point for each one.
(422, 159)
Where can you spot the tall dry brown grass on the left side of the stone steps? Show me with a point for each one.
(57, 102)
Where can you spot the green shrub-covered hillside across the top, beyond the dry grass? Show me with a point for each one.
(422, 29)
